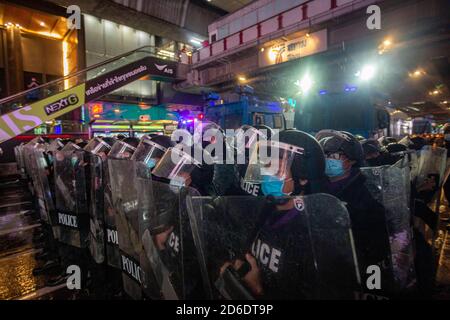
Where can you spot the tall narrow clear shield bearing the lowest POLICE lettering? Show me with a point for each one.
(125, 200)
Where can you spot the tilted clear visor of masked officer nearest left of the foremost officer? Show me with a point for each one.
(176, 165)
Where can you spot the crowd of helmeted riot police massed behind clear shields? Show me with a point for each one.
(255, 215)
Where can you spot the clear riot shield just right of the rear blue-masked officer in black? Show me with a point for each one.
(390, 186)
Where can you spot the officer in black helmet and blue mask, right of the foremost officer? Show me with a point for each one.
(343, 159)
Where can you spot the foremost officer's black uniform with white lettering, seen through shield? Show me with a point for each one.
(284, 253)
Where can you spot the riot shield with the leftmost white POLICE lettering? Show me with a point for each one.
(71, 197)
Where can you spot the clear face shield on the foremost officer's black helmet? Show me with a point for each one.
(271, 158)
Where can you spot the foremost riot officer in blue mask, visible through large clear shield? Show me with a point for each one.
(273, 253)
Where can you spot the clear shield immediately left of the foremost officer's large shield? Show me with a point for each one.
(170, 267)
